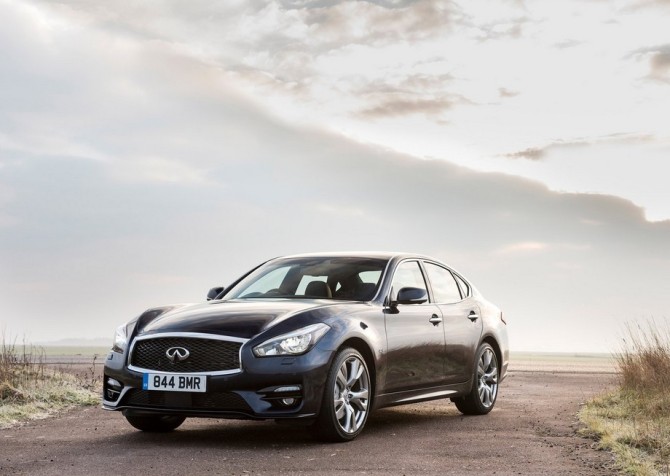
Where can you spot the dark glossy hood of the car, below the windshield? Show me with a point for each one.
(237, 318)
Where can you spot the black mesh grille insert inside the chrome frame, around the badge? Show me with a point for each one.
(205, 355)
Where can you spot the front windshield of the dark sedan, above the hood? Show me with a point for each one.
(342, 278)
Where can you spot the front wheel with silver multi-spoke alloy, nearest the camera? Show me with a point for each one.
(346, 398)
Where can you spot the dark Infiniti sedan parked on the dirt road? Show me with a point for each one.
(319, 339)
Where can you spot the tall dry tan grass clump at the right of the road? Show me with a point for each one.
(634, 420)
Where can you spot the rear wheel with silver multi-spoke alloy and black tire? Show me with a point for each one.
(482, 396)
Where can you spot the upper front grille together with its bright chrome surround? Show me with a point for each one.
(198, 365)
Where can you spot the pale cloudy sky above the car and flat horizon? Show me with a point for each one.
(152, 150)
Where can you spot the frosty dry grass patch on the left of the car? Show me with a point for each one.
(29, 389)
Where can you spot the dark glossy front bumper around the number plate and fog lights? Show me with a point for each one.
(265, 388)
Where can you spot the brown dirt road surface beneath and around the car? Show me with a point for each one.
(531, 431)
